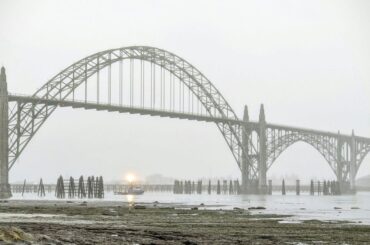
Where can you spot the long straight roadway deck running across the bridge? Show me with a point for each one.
(164, 113)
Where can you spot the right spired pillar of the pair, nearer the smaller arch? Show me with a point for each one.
(262, 161)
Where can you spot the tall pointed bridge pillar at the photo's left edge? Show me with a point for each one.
(4, 167)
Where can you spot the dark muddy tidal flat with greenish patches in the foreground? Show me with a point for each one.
(61, 222)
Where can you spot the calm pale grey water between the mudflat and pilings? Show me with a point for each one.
(355, 208)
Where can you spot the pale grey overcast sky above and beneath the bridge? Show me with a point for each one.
(306, 61)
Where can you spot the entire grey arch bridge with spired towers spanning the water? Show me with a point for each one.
(151, 81)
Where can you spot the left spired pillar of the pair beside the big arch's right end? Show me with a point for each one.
(245, 166)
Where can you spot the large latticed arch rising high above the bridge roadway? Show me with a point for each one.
(26, 119)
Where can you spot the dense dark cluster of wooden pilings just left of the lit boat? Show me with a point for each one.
(92, 188)
